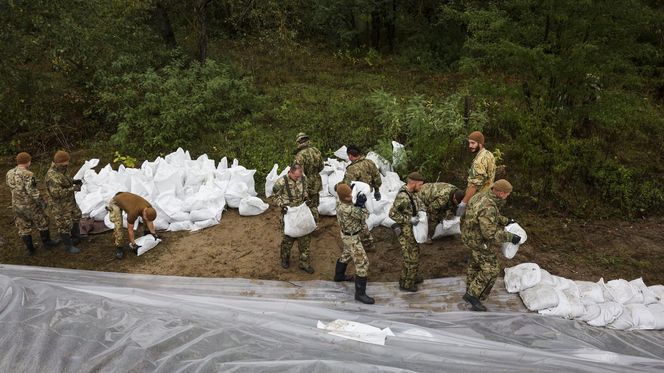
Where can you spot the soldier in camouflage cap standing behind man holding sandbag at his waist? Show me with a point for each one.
(312, 164)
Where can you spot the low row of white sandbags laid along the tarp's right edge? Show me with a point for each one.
(616, 304)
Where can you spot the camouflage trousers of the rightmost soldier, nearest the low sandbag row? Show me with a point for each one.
(483, 269)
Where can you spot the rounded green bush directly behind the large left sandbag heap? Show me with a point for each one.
(175, 106)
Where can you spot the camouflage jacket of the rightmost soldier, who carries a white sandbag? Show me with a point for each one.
(482, 224)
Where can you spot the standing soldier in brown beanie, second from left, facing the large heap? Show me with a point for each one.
(61, 188)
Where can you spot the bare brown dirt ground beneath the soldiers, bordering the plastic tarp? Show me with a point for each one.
(248, 247)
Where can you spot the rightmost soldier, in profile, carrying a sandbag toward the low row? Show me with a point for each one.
(481, 229)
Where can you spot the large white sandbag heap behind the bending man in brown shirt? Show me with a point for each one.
(187, 194)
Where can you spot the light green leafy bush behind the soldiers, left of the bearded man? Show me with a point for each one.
(434, 130)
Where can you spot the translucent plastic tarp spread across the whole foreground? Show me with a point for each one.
(72, 320)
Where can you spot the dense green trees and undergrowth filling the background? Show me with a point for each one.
(569, 93)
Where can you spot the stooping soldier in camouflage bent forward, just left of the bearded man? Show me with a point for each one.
(440, 200)
